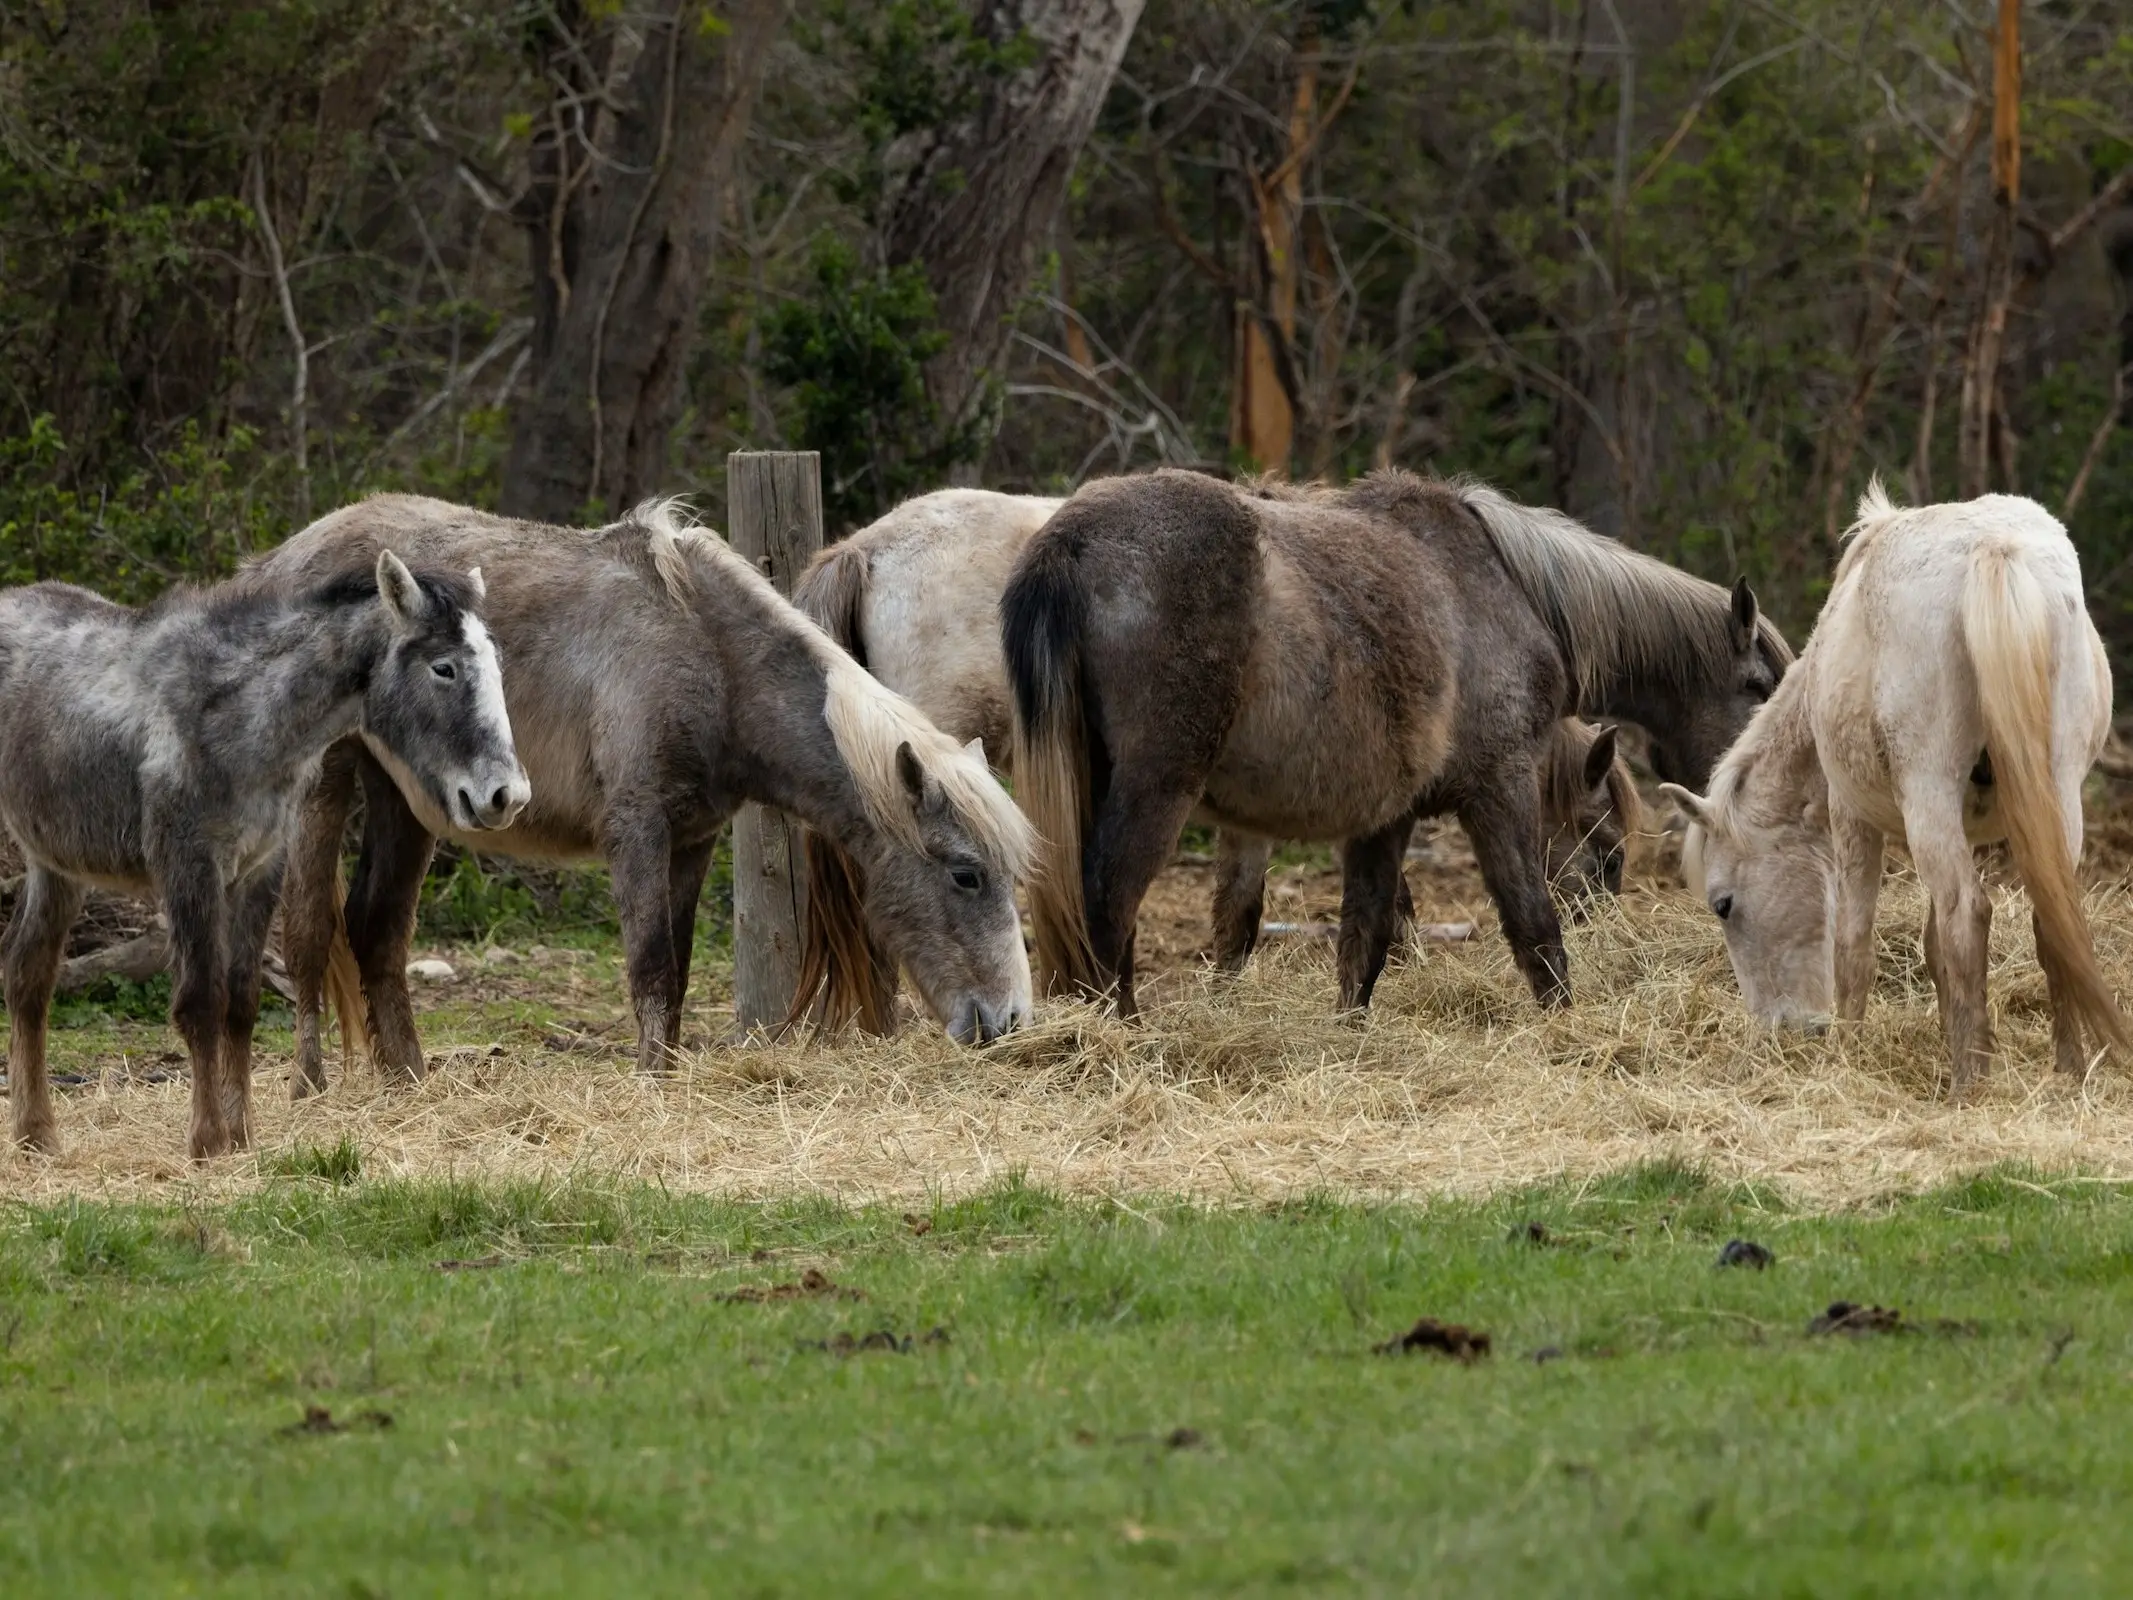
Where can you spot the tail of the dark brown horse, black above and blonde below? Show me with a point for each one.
(1044, 620)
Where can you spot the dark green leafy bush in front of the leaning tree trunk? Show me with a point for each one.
(854, 355)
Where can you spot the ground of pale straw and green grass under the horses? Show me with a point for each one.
(1095, 1311)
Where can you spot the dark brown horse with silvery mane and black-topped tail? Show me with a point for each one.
(1330, 665)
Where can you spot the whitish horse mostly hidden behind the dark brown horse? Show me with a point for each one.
(916, 601)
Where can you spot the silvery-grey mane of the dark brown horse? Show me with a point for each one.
(1614, 609)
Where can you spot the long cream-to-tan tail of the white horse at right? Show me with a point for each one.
(2008, 630)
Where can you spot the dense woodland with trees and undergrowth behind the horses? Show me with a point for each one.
(1688, 270)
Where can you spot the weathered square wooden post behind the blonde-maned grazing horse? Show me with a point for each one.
(773, 515)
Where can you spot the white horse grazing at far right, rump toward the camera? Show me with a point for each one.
(1955, 694)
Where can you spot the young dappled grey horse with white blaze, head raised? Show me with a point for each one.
(170, 750)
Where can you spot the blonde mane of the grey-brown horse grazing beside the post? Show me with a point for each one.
(869, 722)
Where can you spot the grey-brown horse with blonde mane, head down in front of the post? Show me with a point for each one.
(658, 684)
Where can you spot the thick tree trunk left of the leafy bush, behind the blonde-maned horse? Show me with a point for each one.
(622, 217)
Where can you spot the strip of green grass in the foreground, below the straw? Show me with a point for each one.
(577, 1411)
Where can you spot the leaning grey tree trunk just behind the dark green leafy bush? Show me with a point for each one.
(978, 197)
